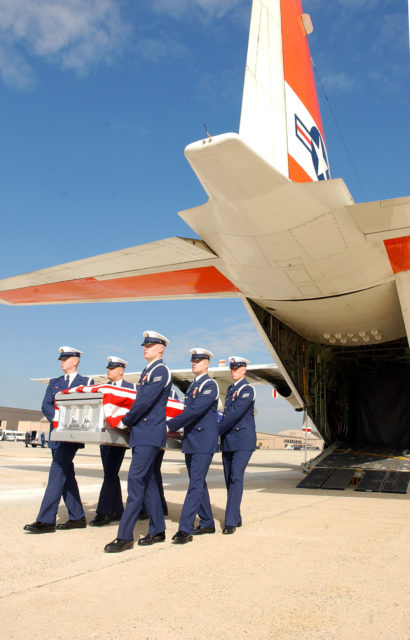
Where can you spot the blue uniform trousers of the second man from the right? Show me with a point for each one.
(197, 498)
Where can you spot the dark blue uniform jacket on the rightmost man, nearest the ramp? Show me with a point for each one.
(237, 427)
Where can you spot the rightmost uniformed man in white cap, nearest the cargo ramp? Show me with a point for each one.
(238, 439)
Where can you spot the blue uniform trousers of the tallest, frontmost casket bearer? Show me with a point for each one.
(142, 488)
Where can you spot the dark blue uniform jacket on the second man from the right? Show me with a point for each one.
(199, 417)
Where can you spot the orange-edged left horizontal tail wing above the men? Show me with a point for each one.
(166, 269)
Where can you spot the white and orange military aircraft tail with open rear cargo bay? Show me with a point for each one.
(326, 281)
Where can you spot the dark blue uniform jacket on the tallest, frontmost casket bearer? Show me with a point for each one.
(147, 414)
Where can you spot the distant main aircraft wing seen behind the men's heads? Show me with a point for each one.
(182, 378)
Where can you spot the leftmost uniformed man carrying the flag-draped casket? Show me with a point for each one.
(61, 479)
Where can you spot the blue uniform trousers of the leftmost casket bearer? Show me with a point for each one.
(61, 482)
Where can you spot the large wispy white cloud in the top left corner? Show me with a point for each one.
(75, 34)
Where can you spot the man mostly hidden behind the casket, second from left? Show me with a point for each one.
(110, 506)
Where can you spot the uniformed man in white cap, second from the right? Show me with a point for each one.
(199, 443)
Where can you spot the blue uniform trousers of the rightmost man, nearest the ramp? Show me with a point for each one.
(235, 463)
